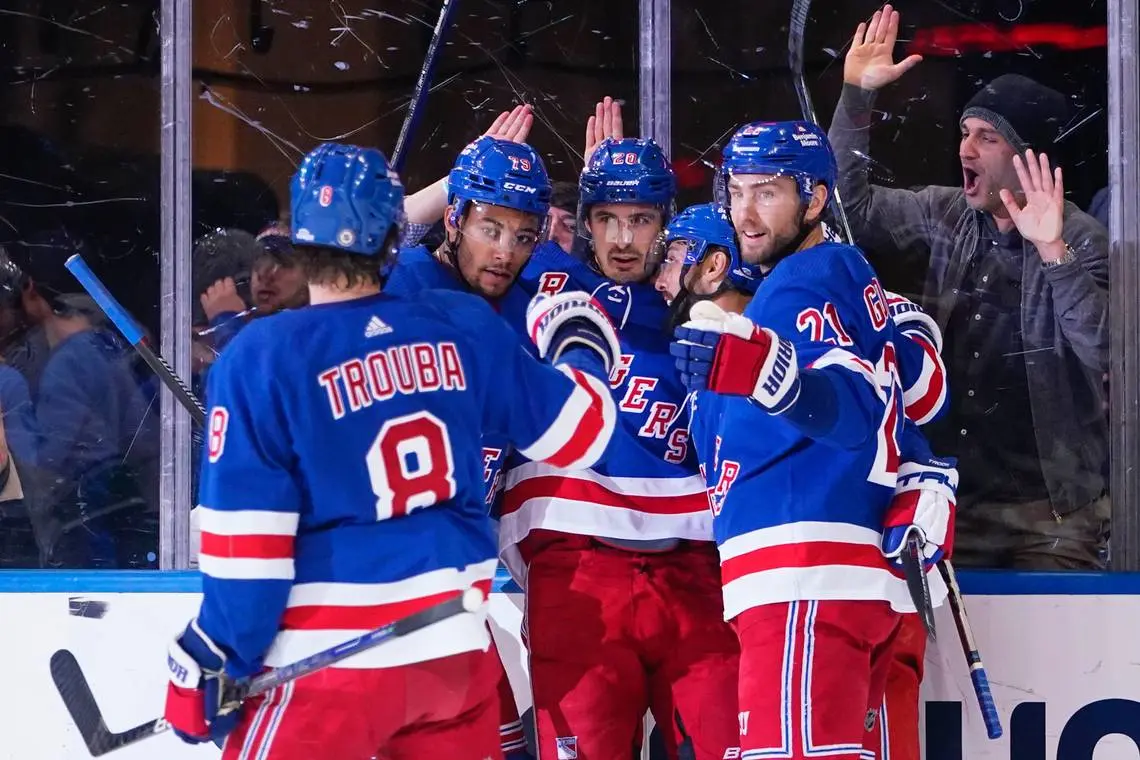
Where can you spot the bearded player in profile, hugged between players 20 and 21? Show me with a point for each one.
(702, 263)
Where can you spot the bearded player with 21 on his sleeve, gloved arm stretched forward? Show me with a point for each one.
(807, 581)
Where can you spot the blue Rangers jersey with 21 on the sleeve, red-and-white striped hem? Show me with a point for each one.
(799, 506)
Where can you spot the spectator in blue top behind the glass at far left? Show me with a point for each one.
(94, 503)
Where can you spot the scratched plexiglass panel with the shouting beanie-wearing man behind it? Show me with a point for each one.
(1027, 348)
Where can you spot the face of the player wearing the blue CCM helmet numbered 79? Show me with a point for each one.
(495, 244)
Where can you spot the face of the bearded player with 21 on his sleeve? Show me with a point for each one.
(767, 213)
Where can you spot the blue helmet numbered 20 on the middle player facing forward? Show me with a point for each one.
(629, 171)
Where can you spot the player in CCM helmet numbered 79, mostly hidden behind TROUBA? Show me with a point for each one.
(499, 195)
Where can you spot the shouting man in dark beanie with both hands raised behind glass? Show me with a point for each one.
(1019, 281)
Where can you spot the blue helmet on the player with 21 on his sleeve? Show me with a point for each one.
(799, 150)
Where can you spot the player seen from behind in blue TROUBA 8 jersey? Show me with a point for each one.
(343, 488)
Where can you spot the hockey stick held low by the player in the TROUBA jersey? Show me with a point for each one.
(85, 712)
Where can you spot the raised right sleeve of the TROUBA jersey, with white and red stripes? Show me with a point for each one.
(564, 416)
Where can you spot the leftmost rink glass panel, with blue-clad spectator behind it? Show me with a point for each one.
(79, 174)
